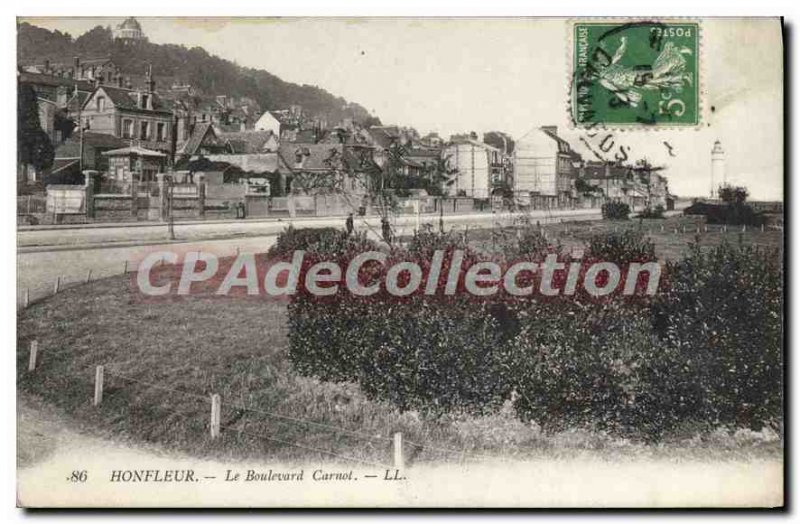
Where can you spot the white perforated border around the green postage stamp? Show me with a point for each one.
(569, 33)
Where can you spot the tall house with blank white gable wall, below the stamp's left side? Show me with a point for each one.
(545, 167)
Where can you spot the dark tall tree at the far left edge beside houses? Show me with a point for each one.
(33, 145)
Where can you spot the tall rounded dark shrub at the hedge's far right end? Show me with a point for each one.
(721, 315)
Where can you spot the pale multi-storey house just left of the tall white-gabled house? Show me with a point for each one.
(472, 161)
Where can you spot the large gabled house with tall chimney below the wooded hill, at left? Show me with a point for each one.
(137, 115)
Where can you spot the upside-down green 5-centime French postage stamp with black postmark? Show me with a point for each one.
(636, 73)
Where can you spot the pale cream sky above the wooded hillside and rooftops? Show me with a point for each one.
(506, 74)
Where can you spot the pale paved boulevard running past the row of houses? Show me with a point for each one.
(69, 252)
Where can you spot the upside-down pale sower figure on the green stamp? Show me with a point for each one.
(667, 71)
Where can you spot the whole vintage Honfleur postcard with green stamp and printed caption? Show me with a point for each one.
(400, 262)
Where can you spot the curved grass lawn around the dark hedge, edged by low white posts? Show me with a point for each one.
(164, 360)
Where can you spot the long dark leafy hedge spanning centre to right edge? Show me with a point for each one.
(706, 350)
